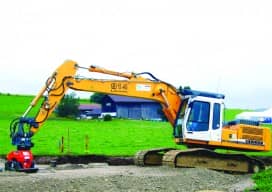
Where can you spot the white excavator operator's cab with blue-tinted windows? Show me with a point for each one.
(200, 117)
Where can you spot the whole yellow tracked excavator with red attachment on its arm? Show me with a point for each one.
(196, 117)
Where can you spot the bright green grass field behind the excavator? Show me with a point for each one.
(117, 137)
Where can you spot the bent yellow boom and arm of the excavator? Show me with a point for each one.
(64, 78)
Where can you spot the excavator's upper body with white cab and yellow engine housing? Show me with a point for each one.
(201, 123)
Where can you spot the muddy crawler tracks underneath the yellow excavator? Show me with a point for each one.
(199, 157)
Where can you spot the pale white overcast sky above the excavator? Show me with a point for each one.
(215, 46)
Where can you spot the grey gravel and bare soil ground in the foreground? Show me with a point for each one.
(103, 177)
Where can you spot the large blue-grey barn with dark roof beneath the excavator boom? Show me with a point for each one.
(131, 107)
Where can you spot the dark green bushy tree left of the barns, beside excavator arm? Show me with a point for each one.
(68, 106)
